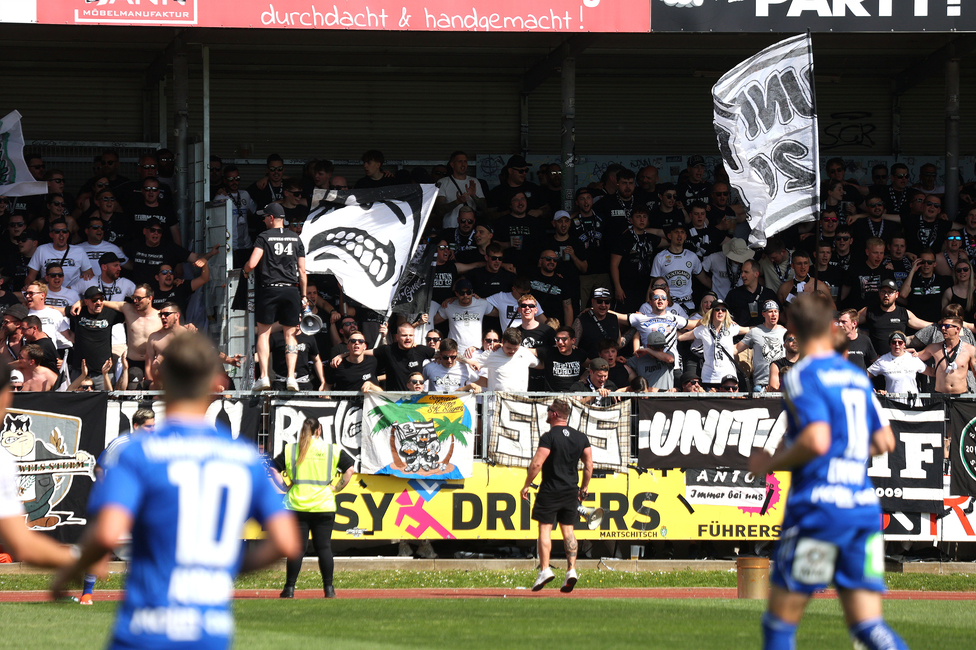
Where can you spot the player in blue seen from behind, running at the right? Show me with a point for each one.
(832, 524)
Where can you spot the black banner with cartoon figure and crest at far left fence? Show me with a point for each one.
(55, 440)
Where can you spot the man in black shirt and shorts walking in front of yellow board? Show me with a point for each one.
(560, 450)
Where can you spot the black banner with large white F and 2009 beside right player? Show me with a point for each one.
(909, 479)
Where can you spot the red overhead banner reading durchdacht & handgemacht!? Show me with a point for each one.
(398, 15)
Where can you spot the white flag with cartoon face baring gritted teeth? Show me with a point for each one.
(366, 237)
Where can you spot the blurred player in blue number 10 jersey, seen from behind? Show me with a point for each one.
(184, 493)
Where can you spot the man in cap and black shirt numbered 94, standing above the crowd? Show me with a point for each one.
(279, 256)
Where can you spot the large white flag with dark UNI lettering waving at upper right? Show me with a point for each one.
(766, 123)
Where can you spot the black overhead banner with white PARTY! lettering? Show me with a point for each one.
(795, 16)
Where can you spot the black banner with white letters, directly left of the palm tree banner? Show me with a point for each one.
(341, 419)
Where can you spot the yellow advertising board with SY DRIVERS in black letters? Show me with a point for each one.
(652, 505)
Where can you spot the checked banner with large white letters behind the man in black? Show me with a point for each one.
(518, 422)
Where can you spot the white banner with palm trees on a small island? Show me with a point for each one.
(419, 435)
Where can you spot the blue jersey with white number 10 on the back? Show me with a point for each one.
(190, 488)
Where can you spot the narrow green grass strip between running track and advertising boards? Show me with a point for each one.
(392, 579)
